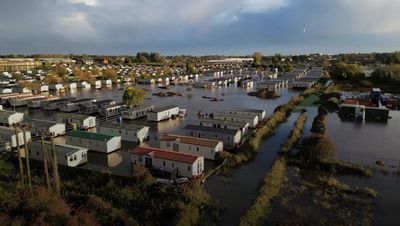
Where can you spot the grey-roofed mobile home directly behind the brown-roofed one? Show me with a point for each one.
(230, 137)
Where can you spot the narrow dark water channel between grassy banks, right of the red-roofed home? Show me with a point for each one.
(239, 189)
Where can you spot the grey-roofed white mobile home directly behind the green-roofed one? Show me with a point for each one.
(128, 132)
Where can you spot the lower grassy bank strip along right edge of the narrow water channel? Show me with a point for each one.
(270, 188)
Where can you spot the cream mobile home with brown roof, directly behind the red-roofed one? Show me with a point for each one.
(191, 145)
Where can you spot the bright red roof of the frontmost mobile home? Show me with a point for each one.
(164, 154)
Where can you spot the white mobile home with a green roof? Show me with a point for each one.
(93, 141)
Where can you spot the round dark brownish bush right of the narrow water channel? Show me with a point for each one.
(317, 148)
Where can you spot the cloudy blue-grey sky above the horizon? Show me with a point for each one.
(198, 27)
